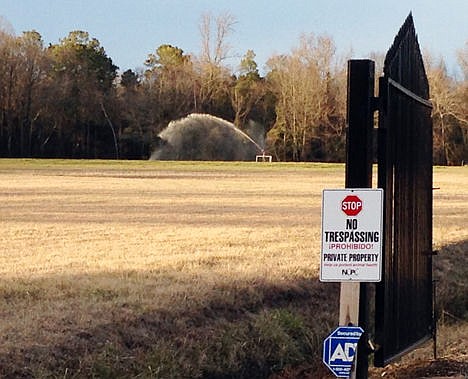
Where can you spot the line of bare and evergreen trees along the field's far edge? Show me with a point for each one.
(69, 99)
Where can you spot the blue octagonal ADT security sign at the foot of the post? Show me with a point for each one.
(339, 349)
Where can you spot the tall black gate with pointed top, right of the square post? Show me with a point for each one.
(404, 309)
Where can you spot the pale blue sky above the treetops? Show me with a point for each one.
(129, 30)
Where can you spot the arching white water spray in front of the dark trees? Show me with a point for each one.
(206, 137)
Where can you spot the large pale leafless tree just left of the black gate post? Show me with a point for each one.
(307, 107)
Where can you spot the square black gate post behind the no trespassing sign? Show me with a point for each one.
(359, 159)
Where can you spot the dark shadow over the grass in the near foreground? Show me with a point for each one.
(243, 330)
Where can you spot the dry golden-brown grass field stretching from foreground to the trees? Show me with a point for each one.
(151, 269)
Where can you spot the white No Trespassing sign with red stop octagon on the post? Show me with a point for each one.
(352, 228)
